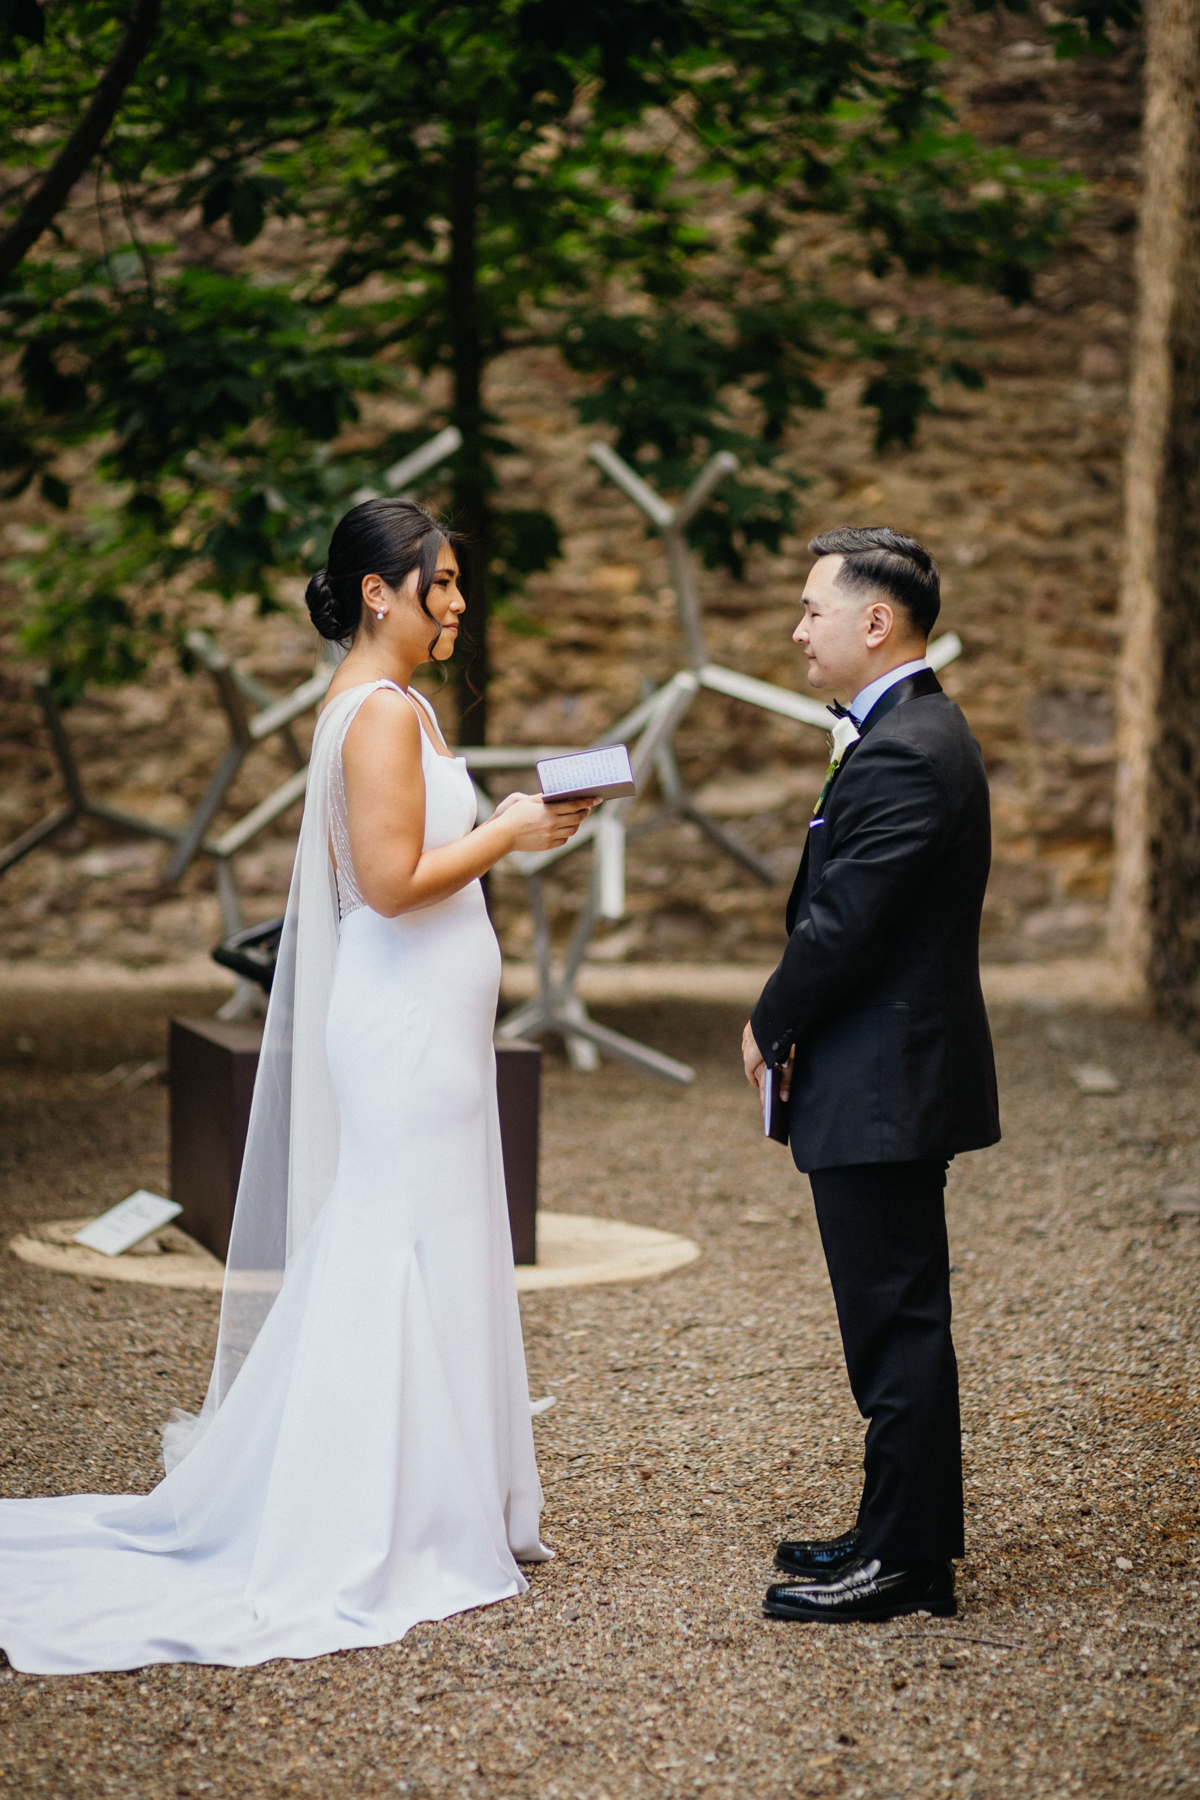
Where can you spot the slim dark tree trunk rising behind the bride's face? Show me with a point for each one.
(472, 481)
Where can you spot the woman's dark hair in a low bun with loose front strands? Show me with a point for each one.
(381, 537)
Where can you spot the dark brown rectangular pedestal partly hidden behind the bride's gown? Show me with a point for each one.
(213, 1068)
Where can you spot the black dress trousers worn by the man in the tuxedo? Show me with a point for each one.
(884, 1234)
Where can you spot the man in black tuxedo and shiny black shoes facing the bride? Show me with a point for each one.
(877, 1002)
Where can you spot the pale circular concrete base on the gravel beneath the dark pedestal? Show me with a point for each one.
(573, 1252)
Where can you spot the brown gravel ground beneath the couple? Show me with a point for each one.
(697, 1421)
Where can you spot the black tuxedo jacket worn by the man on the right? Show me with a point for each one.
(879, 985)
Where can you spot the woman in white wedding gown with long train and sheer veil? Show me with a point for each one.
(364, 1457)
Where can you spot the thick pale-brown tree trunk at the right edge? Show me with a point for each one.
(1156, 899)
